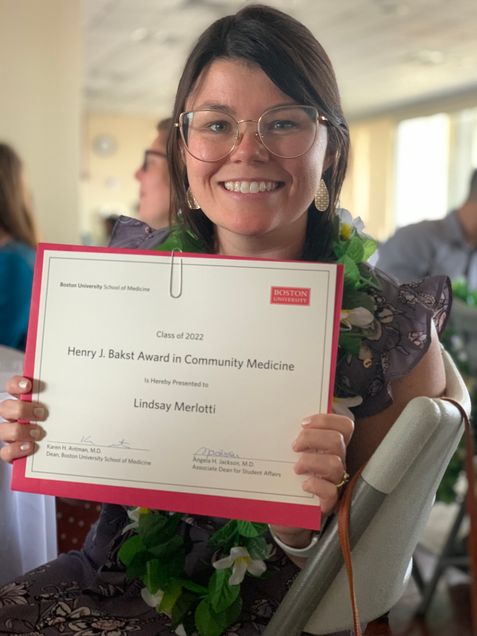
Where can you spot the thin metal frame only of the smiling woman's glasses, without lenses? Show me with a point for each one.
(320, 119)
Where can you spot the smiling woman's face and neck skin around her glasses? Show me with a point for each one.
(277, 214)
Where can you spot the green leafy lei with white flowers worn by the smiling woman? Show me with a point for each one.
(156, 552)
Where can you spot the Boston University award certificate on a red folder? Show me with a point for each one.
(179, 381)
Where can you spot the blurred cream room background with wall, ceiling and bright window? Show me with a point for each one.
(83, 82)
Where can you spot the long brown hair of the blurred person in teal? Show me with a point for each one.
(15, 215)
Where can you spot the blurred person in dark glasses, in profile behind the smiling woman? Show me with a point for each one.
(154, 180)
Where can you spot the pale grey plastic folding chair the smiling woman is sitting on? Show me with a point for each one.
(391, 503)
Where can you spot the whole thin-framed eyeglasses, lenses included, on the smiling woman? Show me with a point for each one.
(285, 131)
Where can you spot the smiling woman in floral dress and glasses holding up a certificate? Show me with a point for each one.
(262, 146)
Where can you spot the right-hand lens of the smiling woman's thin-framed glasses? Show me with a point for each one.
(288, 131)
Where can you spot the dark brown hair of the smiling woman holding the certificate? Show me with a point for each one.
(295, 61)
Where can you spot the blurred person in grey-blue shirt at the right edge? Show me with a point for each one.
(443, 246)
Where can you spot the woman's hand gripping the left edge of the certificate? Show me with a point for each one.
(19, 439)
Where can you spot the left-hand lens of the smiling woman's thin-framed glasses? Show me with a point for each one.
(208, 134)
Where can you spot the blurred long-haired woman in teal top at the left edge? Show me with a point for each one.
(17, 251)
